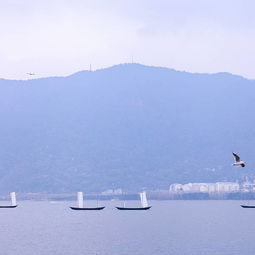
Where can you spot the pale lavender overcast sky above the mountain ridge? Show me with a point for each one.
(59, 37)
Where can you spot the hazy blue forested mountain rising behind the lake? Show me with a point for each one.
(129, 126)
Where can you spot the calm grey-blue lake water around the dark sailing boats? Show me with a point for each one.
(170, 227)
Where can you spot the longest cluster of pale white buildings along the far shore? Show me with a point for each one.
(220, 187)
